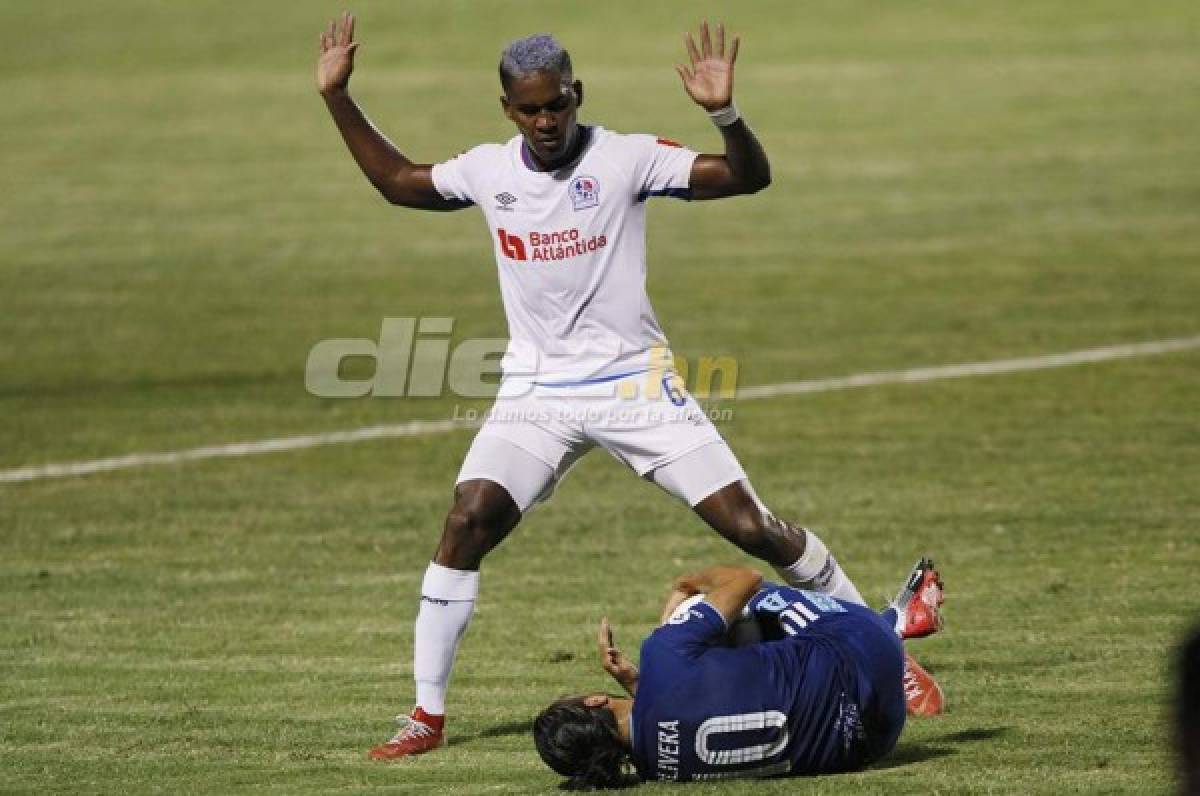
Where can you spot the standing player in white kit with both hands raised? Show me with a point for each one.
(566, 207)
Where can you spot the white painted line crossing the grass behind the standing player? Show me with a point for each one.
(425, 428)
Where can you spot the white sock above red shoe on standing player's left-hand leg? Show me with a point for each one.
(448, 600)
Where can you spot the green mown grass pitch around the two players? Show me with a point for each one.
(953, 183)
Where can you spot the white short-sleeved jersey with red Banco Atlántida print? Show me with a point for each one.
(571, 248)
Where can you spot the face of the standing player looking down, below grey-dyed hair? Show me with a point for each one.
(543, 107)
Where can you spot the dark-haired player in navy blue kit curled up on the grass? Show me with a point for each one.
(823, 692)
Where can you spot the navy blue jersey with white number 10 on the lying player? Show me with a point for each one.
(824, 696)
